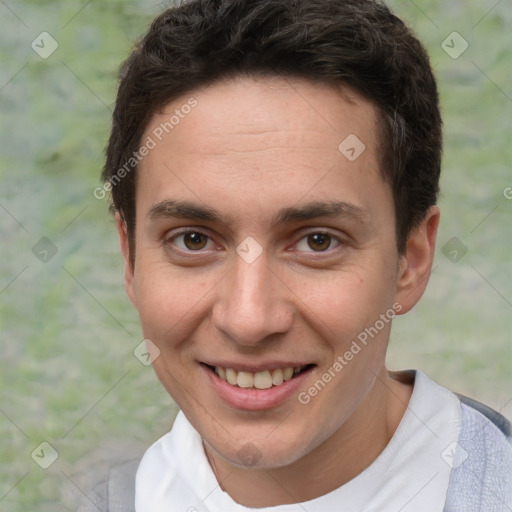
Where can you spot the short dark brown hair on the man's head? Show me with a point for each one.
(358, 43)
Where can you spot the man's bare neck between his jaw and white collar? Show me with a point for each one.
(348, 452)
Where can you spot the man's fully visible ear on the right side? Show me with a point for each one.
(416, 263)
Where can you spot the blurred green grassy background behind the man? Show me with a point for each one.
(67, 331)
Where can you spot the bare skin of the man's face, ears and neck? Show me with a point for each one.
(248, 149)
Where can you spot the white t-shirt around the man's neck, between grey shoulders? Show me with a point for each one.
(411, 475)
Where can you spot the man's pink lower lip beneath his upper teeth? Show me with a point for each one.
(252, 399)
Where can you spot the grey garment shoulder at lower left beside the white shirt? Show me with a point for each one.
(115, 493)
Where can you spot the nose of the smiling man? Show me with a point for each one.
(253, 304)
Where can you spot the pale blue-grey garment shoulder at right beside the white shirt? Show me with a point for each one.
(481, 477)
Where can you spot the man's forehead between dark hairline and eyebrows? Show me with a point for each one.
(269, 139)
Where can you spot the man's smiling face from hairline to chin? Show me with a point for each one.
(262, 252)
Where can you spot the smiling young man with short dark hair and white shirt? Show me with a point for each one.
(274, 170)
